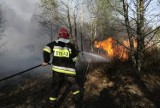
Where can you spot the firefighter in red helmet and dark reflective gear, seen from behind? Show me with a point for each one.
(63, 65)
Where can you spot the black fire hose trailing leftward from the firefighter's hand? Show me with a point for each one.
(20, 72)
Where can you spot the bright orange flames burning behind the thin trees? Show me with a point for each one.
(112, 48)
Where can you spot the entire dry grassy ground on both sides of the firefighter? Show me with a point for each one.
(102, 89)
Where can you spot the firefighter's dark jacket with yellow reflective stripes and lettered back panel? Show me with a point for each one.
(64, 56)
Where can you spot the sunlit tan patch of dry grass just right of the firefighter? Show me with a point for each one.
(95, 83)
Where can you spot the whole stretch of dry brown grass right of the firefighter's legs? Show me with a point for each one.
(106, 87)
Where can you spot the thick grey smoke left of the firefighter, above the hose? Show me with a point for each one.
(23, 35)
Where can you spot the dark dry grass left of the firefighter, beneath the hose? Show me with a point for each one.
(28, 93)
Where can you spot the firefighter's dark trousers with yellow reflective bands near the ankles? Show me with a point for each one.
(58, 82)
